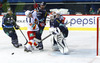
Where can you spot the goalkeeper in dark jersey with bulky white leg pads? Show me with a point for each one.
(60, 32)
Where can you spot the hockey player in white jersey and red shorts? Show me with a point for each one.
(32, 24)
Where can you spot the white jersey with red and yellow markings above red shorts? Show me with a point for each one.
(31, 24)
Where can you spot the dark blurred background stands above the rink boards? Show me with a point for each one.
(67, 4)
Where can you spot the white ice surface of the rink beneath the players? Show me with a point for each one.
(82, 45)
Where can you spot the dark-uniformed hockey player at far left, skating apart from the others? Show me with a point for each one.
(8, 25)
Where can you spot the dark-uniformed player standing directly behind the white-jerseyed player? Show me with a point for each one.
(42, 14)
